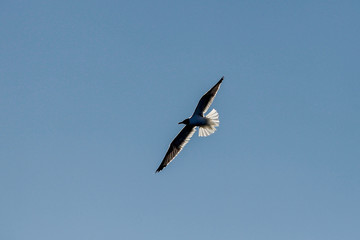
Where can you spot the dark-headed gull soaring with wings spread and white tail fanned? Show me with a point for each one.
(207, 125)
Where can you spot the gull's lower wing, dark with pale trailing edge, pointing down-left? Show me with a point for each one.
(177, 145)
